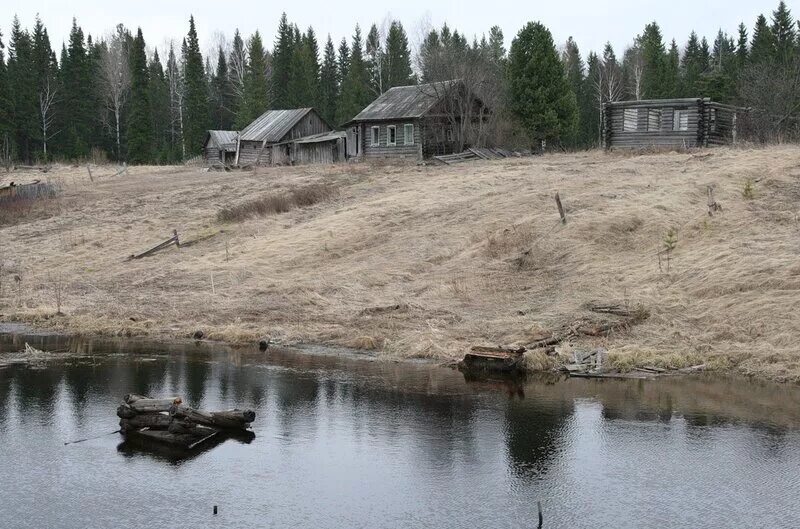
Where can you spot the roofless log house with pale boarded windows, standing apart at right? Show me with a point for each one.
(669, 123)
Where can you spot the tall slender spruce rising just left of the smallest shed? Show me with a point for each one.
(196, 115)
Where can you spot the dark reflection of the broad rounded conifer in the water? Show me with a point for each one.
(535, 434)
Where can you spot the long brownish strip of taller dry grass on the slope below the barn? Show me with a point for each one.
(277, 203)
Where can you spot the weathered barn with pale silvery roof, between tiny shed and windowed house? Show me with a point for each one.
(268, 140)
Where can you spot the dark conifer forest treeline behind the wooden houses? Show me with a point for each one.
(116, 97)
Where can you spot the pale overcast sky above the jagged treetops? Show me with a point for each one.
(590, 22)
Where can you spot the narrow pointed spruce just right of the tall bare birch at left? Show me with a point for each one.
(140, 133)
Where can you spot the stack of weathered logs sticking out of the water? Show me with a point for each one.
(168, 421)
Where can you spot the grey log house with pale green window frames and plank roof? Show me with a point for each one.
(413, 122)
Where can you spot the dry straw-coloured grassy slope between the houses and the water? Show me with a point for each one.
(427, 261)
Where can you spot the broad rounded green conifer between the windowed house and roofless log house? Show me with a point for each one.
(539, 95)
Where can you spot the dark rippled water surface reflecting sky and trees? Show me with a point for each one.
(343, 442)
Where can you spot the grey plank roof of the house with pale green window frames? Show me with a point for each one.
(403, 102)
